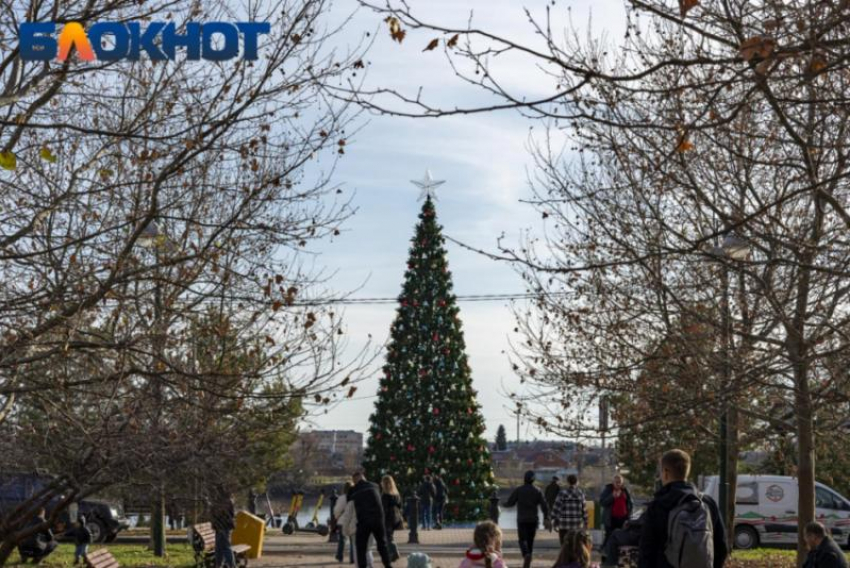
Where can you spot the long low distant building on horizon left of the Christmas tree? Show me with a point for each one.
(328, 452)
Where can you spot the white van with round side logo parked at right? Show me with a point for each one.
(766, 510)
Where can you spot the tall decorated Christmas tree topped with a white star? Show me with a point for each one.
(426, 418)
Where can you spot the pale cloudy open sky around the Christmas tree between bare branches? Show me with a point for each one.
(485, 162)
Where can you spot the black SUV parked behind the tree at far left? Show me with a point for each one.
(103, 519)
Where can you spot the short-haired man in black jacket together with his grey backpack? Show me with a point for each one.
(683, 528)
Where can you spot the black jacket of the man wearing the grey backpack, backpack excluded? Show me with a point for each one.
(653, 539)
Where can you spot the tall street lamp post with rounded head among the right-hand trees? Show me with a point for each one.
(732, 248)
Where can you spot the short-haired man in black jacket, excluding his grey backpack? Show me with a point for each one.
(675, 467)
